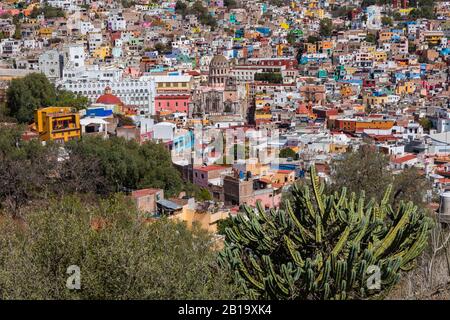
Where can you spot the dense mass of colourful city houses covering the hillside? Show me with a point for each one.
(266, 77)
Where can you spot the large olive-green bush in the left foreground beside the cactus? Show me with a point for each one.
(119, 256)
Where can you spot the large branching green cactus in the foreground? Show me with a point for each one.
(323, 246)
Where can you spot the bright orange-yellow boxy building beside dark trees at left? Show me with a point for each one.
(57, 124)
